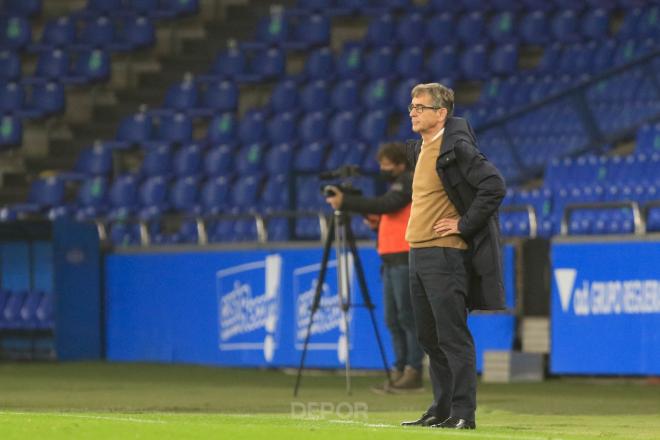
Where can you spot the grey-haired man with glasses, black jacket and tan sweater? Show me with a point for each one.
(455, 257)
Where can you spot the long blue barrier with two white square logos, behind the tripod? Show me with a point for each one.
(251, 308)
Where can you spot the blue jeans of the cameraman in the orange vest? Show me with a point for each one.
(399, 316)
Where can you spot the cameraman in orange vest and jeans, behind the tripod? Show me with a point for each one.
(389, 213)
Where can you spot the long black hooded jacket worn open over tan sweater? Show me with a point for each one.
(476, 188)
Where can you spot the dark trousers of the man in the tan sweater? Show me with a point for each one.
(438, 288)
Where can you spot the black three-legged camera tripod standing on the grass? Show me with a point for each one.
(341, 232)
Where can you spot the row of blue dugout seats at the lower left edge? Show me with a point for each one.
(26, 310)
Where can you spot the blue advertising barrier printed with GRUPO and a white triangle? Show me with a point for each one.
(606, 308)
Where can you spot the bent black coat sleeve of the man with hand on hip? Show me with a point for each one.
(489, 187)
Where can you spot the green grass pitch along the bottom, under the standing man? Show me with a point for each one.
(129, 401)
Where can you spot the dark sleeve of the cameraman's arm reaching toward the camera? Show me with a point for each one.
(398, 196)
